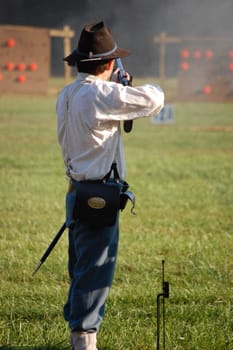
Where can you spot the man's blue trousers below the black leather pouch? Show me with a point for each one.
(92, 261)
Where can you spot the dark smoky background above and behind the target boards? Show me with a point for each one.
(134, 24)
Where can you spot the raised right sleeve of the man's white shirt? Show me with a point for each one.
(120, 102)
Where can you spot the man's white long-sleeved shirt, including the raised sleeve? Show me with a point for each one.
(89, 112)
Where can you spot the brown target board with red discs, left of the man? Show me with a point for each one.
(24, 59)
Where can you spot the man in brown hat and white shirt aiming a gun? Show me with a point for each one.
(89, 113)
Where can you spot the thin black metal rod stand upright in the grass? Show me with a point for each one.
(163, 295)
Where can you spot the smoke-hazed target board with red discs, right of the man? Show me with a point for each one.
(206, 70)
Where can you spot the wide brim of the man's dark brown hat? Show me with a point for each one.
(118, 53)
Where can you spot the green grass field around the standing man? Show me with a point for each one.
(182, 175)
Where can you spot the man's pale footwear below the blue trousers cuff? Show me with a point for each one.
(83, 341)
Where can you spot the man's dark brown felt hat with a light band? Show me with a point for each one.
(96, 43)
